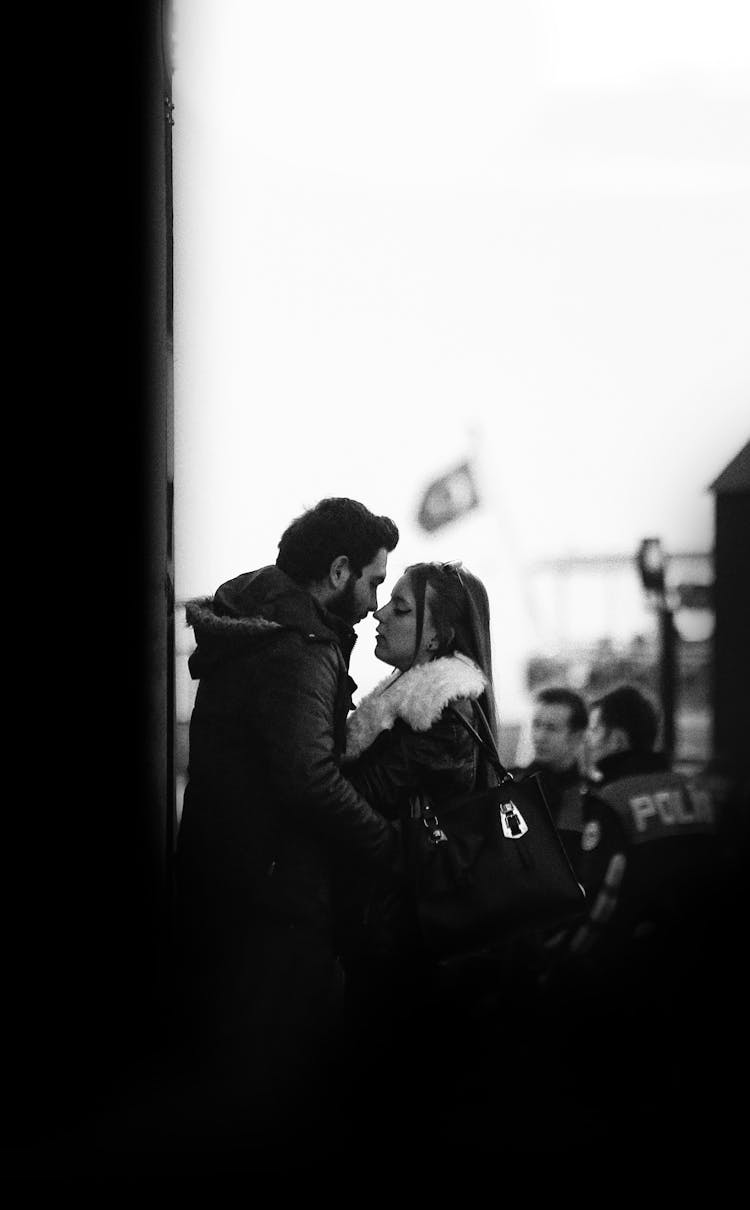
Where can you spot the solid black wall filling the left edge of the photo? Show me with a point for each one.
(88, 837)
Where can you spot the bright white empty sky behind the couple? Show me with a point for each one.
(409, 232)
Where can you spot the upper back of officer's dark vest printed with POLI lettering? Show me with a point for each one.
(660, 806)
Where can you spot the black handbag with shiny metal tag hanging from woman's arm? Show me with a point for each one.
(488, 866)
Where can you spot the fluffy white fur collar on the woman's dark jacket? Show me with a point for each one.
(418, 696)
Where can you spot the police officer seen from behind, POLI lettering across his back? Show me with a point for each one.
(649, 834)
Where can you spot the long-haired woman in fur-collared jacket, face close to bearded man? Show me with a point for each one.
(405, 739)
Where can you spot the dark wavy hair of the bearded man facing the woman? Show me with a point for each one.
(337, 526)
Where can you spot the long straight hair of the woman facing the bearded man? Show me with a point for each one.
(460, 609)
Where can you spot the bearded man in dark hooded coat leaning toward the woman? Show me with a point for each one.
(268, 815)
